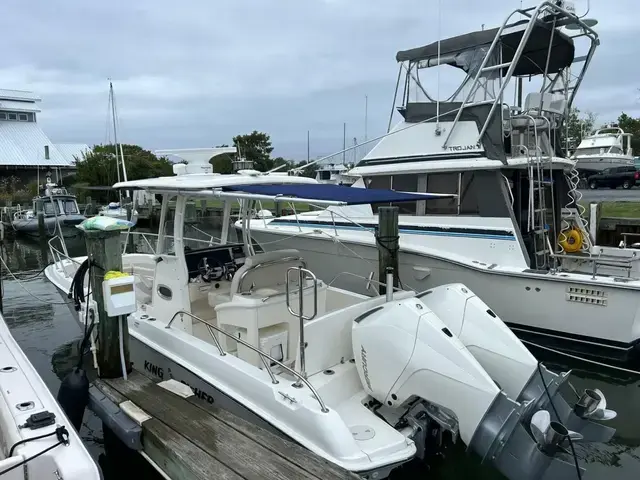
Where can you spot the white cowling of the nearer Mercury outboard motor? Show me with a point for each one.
(403, 350)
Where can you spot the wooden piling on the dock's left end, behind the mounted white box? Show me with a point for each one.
(103, 250)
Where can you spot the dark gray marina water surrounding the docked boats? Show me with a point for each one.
(42, 325)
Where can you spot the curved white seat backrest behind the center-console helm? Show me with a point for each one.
(265, 270)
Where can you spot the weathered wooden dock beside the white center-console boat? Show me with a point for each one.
(190, 439)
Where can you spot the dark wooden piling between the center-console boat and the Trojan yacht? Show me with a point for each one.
(387, 239)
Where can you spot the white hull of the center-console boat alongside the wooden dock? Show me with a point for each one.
(249, 392)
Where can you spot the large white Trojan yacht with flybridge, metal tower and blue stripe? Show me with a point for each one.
(515, 232)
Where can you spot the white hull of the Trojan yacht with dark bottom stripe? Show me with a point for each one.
(565, 309)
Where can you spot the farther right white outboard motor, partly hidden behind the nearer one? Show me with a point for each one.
(512, 366)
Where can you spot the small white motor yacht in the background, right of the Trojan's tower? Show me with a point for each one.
(605, 148)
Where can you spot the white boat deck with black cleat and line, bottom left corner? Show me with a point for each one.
(28, 410)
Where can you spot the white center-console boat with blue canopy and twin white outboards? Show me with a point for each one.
(366, 382)
